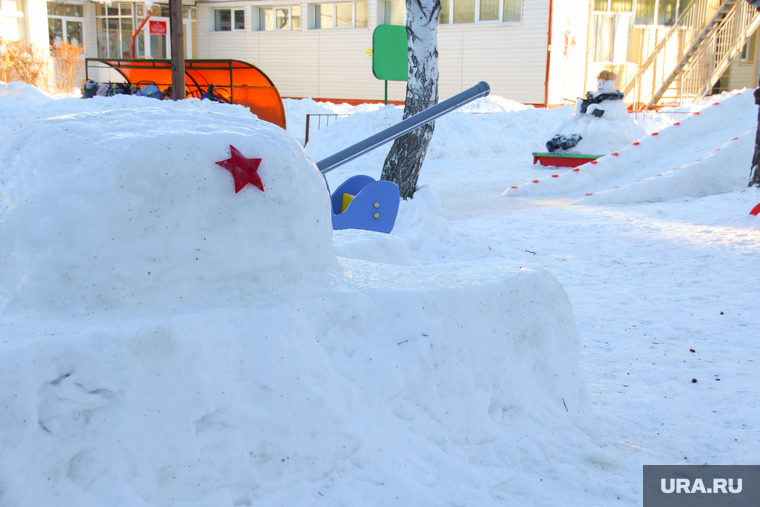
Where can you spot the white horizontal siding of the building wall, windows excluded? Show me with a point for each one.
(331, 64)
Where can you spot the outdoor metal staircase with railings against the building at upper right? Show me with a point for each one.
(693, 54)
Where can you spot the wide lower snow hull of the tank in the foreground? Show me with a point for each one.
(424, 384)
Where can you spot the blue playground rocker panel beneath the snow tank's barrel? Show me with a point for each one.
(374, 207)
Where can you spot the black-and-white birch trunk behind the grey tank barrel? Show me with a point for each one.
(403, 164)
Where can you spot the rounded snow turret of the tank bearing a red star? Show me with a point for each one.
(129, 206)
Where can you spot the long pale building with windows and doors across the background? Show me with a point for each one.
(542, 52)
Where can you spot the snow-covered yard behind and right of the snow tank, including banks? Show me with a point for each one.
(650, 267)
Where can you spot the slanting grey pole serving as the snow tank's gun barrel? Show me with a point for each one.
(342, 157)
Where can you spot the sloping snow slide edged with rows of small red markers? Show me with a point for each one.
(684, 145)
